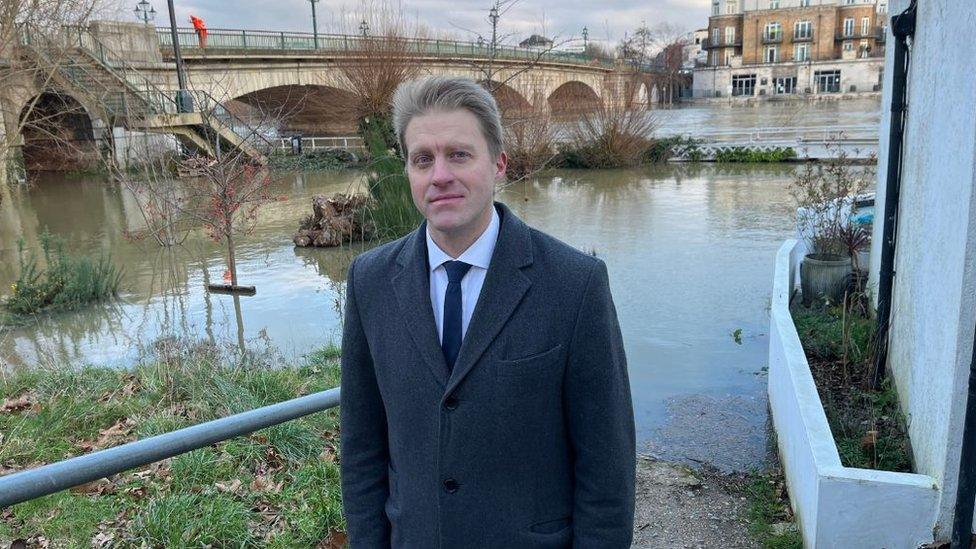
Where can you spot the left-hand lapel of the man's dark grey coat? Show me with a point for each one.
(412, 287)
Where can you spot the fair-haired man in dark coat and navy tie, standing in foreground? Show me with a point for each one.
(485, 398)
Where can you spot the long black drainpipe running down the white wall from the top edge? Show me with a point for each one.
(902, 27)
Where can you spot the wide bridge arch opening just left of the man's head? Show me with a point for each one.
(310, 109)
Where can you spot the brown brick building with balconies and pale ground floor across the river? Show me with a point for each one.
(786, 47)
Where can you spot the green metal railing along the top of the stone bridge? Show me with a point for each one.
(302, 41)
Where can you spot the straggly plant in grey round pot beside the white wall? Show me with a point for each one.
(825, 194)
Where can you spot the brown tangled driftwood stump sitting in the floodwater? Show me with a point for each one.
(334, 220)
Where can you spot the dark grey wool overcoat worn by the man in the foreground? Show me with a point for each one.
(528, 443)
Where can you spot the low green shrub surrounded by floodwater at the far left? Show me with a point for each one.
(68, 282)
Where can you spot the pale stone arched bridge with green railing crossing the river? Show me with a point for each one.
(297, 82)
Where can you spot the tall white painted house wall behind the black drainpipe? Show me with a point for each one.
(934, 300)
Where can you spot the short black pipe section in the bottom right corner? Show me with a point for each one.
(962, 522)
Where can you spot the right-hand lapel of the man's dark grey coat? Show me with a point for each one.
(505, 285)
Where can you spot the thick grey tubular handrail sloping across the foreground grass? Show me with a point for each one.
(48, 479)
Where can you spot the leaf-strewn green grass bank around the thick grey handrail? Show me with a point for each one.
(278, 487)
